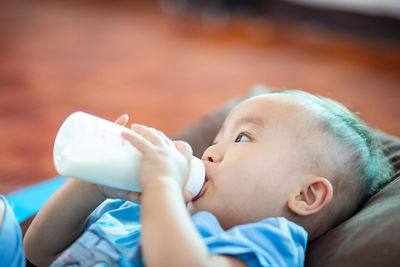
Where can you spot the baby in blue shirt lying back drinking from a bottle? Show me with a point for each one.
(284, 168)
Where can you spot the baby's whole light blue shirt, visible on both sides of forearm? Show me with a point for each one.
(112, 238)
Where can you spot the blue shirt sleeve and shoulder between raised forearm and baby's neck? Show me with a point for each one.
(270, 242)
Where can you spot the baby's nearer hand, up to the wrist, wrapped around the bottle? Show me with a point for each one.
(161, 157)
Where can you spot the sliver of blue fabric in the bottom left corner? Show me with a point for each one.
(11, 252)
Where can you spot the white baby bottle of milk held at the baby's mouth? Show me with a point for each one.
(92, 149)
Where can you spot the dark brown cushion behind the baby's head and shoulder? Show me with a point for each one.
(369, 238)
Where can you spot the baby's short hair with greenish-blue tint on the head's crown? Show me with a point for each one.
(366, 161)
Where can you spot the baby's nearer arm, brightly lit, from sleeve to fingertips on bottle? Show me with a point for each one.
(169, 237)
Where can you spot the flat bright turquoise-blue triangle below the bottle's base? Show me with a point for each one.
(28, 201)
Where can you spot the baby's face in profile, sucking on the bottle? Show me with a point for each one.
(253, 165)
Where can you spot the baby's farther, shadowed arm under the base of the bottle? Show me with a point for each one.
(60, 221)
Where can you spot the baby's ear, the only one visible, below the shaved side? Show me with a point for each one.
(315, 194)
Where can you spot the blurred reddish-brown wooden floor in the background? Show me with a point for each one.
(166, 71)
